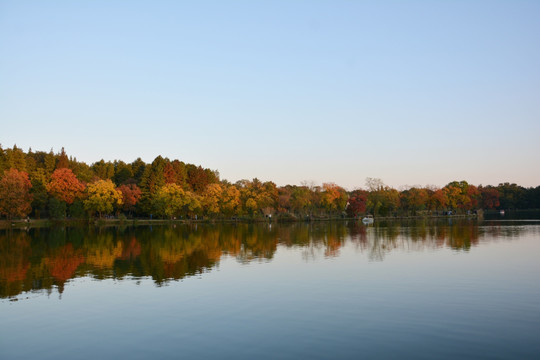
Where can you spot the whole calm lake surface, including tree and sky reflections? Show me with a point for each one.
(418, 290)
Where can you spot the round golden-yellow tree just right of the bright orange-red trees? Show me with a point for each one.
(102, 197)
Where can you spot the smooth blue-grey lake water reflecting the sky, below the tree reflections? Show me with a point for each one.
(425, 300)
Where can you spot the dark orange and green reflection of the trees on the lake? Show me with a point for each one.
(44, 259)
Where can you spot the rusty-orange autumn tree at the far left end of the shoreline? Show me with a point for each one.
(15, 197)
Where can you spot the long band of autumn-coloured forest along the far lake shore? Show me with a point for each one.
(52, 185)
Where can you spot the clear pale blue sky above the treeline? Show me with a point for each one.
(412, 92)
